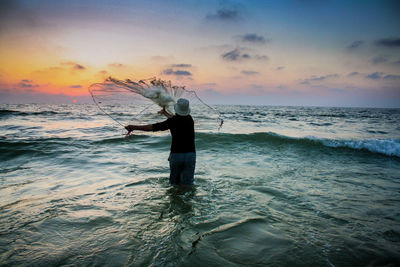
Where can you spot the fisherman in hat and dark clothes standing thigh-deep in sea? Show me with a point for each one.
(182, 160)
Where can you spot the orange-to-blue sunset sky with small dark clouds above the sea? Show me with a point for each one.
(298, 52)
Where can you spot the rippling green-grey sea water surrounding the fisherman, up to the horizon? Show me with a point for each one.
(276, 186)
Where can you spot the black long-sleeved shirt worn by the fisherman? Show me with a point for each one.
(182, 131)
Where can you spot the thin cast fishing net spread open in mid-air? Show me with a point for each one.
(140, 102)
